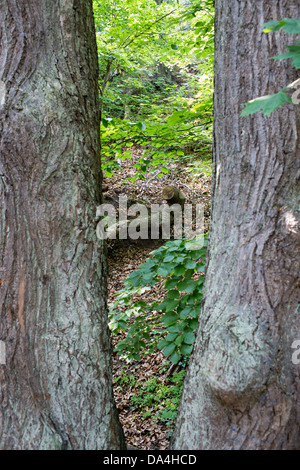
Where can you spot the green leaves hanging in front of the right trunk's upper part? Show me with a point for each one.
(270, 103)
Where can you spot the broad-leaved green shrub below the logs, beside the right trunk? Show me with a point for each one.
(179, 266)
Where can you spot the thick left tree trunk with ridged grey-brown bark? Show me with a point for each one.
(55, 375)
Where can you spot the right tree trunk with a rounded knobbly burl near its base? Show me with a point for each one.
(242, 388)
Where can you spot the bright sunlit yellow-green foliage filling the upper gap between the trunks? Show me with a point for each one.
(156, 86)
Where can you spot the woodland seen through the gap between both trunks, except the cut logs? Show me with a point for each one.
(156, 99)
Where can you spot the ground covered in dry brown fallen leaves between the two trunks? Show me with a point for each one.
(145, 430)
